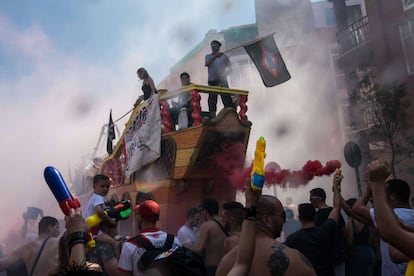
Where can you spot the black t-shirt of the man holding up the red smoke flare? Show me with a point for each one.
(339, 243)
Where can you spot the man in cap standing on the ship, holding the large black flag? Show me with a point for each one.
(219, 67)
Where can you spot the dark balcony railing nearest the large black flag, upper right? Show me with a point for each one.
(354, 35)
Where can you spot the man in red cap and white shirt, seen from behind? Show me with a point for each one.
(147, 214)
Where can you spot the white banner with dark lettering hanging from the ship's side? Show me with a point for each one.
(143, 136)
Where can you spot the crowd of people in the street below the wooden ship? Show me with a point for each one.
(241, 239)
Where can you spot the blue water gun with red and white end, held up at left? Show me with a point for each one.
(63, 196)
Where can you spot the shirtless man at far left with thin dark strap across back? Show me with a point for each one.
(48, 233)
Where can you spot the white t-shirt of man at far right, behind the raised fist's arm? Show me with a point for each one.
(388, 267)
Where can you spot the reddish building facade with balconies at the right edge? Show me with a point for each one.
(379, 42)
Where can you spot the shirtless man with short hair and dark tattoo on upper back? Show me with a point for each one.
(271, 256)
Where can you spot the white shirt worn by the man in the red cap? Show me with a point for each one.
(131, 253)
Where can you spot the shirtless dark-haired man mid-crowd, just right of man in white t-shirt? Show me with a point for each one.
(212, 235)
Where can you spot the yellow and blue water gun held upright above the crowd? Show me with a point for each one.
(257, 174)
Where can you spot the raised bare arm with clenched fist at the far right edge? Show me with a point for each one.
(388, 224)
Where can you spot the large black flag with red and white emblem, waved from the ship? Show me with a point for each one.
(268, 61)
